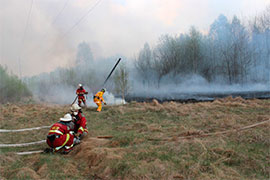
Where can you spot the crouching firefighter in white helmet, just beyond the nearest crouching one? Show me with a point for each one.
(80, 123)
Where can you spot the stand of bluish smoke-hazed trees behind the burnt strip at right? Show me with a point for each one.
(230, 52)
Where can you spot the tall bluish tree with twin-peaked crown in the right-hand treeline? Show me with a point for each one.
(232, 52)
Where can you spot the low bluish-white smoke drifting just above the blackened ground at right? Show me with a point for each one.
(193, 84)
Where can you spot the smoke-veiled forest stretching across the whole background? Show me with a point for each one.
(233, 52)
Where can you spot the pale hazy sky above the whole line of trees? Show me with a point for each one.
(40, 35)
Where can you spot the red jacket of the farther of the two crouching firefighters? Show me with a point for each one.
(80, 123)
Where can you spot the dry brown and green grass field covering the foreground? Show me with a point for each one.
(150, 141)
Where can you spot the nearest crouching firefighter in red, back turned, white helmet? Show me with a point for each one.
(60, 138)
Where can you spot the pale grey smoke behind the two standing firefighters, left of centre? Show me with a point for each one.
(60, 85)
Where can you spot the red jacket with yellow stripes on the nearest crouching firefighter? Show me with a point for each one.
(60, 137)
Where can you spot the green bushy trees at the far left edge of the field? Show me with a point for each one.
(12, 89)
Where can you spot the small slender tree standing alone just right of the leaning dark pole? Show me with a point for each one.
(121, 81)
